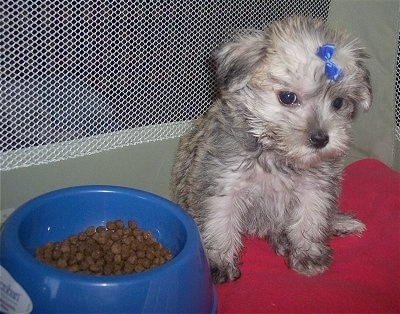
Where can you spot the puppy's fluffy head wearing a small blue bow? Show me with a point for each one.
(298, 85)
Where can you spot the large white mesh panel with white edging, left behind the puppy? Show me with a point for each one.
(79, 77)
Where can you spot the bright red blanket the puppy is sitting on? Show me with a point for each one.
(365, 272)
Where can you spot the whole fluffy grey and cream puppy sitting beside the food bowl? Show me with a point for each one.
(266, 160)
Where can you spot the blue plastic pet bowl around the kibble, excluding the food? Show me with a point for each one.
(182, 285)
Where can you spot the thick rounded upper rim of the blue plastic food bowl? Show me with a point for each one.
(11, 228)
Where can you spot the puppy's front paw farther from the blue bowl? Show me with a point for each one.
(310, 263)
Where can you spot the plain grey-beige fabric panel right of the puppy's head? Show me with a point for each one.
(376, 24)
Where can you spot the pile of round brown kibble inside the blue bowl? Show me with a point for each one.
(112, 249)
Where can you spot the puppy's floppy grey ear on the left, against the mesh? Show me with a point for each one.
(236, 61)
